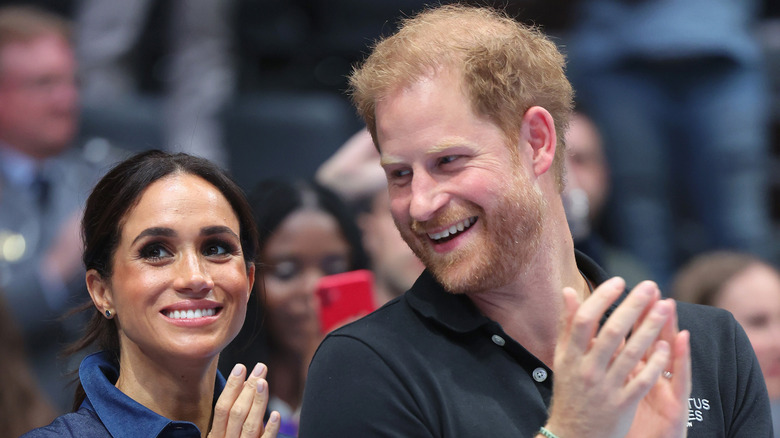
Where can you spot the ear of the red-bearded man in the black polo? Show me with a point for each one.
(538, 131)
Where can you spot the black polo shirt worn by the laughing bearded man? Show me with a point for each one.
(428, 364)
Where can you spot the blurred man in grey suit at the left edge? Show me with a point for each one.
(44, 180)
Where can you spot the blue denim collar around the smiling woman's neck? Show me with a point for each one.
(120, 414)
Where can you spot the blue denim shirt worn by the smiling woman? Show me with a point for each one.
(108, 412)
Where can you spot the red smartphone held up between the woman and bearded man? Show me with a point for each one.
(345, 297)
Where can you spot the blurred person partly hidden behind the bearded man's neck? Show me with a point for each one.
(585, 195)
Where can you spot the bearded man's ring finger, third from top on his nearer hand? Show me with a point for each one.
(641, 341)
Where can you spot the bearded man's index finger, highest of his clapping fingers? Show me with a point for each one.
(585, 322)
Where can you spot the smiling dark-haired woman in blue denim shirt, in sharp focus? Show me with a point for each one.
(170, 244)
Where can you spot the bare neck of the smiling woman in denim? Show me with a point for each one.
(180, 392)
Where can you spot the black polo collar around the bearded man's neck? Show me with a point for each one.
(456, 311)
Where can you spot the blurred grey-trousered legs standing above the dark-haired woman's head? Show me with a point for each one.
(197, 75)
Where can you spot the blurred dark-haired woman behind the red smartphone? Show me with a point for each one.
(305, 232)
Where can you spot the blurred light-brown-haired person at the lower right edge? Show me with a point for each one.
(749, 288)
